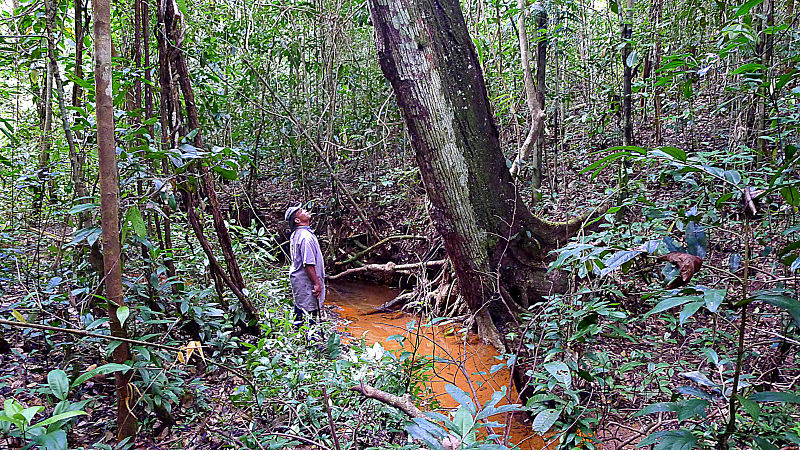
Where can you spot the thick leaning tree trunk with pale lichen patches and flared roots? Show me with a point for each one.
(494, 242)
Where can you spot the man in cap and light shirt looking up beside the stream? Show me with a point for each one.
(307, 272)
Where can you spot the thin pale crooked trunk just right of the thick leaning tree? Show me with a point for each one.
(534, 105)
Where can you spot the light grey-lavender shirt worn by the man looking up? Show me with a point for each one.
(305, 250)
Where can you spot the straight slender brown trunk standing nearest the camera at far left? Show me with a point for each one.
(109, 211)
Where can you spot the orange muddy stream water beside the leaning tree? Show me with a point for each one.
(356, 303)
